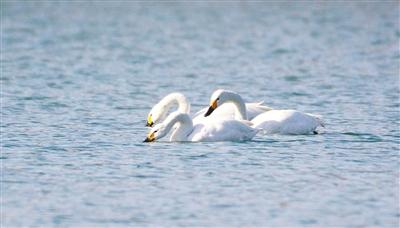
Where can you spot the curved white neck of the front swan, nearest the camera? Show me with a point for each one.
(185, 126)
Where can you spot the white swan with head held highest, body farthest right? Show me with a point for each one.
(272, 122)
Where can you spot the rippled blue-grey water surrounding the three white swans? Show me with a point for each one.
(78, 80)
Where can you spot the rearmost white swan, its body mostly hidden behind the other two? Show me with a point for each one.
(227, 111)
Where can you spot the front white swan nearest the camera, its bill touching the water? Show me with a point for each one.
(211, 130)
